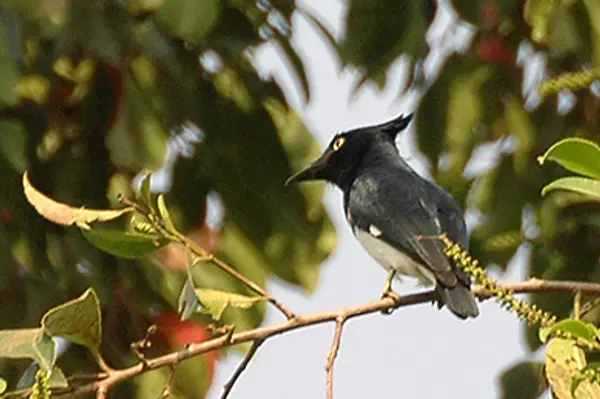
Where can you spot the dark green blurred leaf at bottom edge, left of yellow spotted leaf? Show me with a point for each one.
(523, 380)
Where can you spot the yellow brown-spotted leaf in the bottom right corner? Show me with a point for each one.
(564, 361)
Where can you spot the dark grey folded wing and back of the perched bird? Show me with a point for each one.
(408, 218)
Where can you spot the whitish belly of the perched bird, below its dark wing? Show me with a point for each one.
(390, 258)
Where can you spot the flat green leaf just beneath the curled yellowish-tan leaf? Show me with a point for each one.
(129, 245)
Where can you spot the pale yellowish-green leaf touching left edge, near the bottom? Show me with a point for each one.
(31, 343)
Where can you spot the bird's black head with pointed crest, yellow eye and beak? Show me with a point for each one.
(341, 159)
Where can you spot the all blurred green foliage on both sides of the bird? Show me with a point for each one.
(85, 107)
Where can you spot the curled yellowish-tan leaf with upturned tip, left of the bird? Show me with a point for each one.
(64, 214)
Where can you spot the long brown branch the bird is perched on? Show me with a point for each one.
(263, 333)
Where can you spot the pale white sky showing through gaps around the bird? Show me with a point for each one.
(418, 352)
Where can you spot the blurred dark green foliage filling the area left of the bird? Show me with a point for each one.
(93, 93)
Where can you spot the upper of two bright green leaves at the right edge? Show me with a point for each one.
(576, 154)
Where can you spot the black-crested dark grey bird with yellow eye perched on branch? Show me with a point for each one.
(397, 215)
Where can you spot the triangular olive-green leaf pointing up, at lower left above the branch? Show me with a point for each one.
(78, 320)
